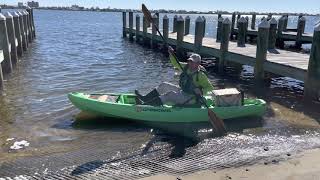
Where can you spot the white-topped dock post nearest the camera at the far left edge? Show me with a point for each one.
(5, 46)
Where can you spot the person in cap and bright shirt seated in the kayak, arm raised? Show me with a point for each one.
(193, 82)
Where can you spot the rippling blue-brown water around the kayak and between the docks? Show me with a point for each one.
(85, 51)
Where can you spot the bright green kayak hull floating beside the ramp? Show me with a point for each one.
(123, 106)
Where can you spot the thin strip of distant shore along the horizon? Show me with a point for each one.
(160, 11)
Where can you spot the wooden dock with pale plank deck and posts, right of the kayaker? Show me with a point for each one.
(265, 56)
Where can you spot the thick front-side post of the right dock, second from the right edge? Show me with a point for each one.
(262, 46)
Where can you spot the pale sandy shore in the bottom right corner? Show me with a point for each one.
(304, 165)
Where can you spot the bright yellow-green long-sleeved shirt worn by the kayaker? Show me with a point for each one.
(200, 81)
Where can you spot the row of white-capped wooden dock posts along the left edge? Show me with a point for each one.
(17, 31)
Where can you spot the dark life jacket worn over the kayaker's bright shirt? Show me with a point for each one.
(186, 80)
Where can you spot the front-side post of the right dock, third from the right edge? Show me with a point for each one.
(226, 28)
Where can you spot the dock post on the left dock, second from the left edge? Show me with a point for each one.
(12, 38)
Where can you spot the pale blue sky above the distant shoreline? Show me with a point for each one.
(303, 6)
